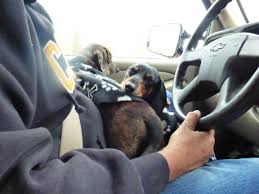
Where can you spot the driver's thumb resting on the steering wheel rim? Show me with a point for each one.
(191, 120)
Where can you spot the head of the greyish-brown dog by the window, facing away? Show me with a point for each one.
(100, 58)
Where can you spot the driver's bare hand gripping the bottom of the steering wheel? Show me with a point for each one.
(188, 149)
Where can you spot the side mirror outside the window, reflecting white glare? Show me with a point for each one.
(167, 40)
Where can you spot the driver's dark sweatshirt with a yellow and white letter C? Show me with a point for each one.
(36, 94)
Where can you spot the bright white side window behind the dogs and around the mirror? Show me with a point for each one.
(122, 26)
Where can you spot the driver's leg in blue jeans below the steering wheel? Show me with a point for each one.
(238, 176)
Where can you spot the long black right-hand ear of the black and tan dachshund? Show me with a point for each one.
(158, 100)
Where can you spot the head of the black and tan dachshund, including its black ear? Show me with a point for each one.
(143, 80)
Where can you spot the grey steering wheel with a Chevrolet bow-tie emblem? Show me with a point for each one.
(227, 66)
